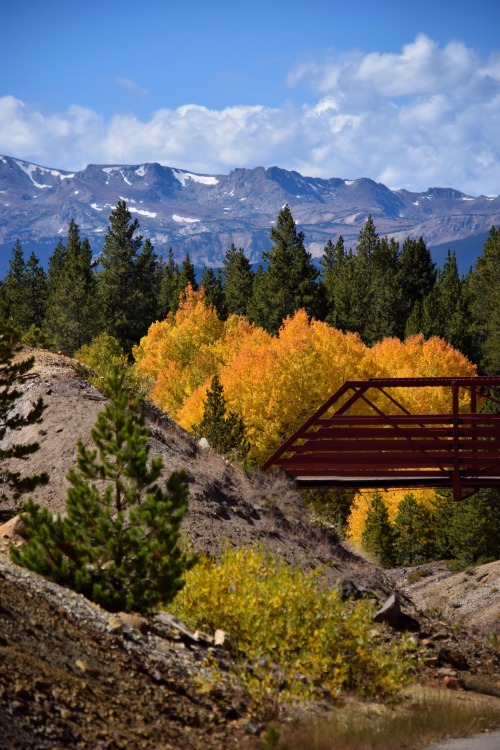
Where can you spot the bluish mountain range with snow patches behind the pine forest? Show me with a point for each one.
(204, 214)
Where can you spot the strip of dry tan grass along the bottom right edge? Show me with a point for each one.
(424, 716)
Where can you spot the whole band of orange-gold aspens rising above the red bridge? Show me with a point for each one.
(274, 383)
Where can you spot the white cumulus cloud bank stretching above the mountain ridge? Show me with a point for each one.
(427, 116)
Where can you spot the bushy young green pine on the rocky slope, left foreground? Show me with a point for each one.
(118, 543)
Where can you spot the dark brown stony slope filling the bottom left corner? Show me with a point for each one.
(72, 675)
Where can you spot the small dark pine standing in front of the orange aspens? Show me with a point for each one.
(225, 434)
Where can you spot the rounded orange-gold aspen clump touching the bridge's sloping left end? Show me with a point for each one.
(277, 383)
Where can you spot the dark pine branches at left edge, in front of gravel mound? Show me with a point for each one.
(11, 376)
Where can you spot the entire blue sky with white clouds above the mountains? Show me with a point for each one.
(405, 93)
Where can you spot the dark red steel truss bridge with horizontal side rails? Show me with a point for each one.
(365, 436)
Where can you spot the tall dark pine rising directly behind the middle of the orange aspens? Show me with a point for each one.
(289, 283)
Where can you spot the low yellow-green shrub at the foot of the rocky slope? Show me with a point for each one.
(301, 639)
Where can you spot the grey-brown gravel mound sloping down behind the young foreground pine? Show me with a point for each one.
(225, 506)
